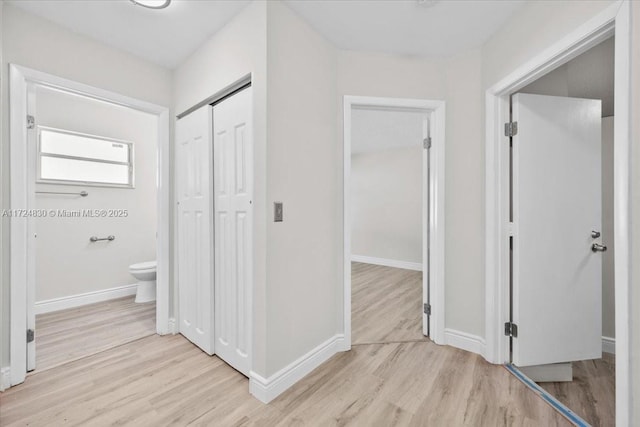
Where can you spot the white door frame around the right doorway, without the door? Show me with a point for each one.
(615, 17)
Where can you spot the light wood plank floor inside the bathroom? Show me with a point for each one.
(68, 335)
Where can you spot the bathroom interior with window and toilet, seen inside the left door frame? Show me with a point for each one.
(95, 186)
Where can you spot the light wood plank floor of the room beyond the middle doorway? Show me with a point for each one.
(386, 304)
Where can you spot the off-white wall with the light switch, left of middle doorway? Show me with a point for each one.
(304, 300)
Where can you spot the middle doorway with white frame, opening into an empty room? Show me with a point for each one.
(372, 209)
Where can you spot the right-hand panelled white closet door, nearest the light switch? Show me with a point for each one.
(233, 181)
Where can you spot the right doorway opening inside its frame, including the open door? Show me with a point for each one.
(569, 155)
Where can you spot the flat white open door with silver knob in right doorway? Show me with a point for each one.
(557, 280)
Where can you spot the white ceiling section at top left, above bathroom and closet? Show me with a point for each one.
(166, 37)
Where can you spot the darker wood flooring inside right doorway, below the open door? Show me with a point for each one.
(592, 393)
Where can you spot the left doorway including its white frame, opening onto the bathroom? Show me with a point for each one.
(74, 166)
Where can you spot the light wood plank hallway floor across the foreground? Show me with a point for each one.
(162, 381)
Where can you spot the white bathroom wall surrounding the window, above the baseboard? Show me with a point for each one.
(66, 262)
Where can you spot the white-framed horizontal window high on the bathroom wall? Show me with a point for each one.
(66, 157)
